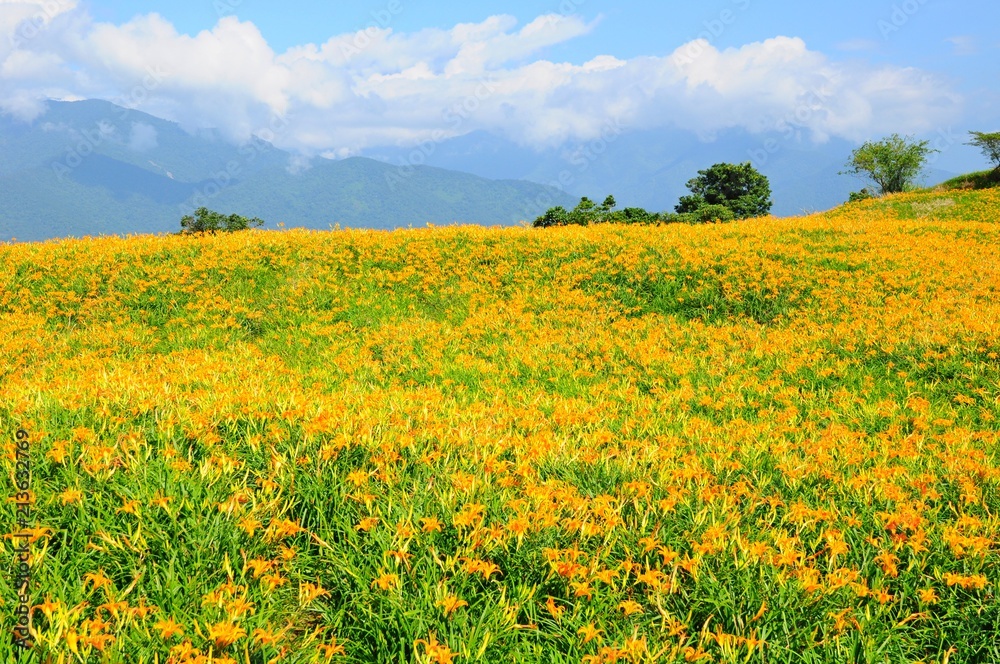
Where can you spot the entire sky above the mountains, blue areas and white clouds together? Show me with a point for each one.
(349, 76)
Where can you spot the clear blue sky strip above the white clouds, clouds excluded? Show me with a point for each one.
(631, 28)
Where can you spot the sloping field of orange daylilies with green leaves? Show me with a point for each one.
(763, 441)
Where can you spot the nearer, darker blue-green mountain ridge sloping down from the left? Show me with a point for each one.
(92, 168)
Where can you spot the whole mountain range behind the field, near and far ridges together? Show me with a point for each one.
(91, 168)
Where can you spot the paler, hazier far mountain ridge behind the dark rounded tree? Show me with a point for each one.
(650, 168)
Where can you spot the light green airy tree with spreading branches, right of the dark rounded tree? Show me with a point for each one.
(892, 163)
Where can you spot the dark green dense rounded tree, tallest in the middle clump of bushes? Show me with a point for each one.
(741, 188)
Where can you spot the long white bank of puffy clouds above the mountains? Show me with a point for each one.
(379, 87)
